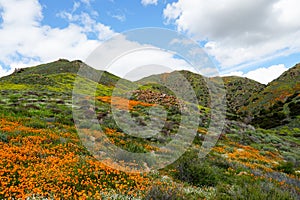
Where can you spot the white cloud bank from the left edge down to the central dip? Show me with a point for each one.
(30, 43)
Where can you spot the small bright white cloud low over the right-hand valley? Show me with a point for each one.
(262, 75)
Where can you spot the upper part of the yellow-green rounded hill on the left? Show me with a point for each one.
(60, 72)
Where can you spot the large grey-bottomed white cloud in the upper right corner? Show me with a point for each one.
(239, 32)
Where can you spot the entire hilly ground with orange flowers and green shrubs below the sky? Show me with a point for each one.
(51, 142)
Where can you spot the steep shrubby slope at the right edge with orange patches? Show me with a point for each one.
(278, 102)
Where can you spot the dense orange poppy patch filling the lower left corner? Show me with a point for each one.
(53, 164)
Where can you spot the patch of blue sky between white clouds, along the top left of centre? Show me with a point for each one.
(119, 15)
